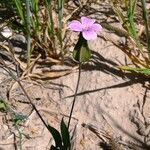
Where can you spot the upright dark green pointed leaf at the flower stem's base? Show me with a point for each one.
(65, 135)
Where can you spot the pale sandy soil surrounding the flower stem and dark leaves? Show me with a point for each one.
(111, 110)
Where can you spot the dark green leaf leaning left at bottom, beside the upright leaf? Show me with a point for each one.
(56, 135)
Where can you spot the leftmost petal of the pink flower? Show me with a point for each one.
(75, 25)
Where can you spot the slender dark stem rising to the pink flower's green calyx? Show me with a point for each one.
(75, 95)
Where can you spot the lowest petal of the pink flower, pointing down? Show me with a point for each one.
(89, 35)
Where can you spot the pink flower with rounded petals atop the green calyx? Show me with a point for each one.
(87, 26)
